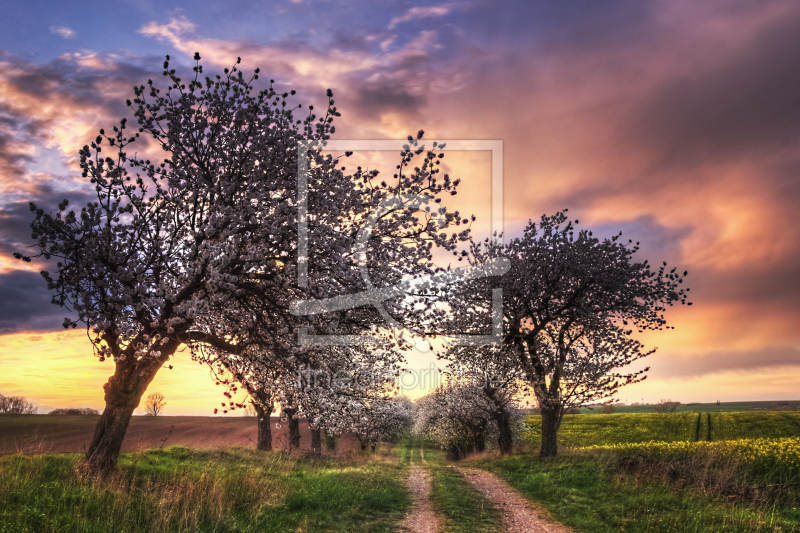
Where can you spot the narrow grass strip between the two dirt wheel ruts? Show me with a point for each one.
(462, 508)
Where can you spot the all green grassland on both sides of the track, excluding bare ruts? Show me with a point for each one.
(619, 472)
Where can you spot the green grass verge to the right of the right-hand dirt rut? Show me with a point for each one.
(590, 494)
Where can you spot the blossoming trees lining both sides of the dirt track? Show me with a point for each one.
(228, 214)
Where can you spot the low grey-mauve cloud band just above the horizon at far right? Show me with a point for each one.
(723, 361)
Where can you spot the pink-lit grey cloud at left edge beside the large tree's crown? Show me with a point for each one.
(47, 112)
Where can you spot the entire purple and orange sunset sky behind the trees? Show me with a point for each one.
(675, 122)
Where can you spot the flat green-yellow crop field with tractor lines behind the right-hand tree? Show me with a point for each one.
(580, 430)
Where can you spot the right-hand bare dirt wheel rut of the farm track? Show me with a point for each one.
(518, 514)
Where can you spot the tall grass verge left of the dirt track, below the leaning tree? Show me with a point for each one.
(178, 489)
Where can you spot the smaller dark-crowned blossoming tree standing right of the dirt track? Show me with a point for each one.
(570, 305)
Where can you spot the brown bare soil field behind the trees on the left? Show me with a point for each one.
(60, 434)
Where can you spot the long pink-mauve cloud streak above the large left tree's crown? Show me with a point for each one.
(374, 80)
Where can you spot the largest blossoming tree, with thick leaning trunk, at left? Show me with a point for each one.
(201, 249)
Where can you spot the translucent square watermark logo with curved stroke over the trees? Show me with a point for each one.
(376, 296)
